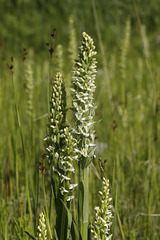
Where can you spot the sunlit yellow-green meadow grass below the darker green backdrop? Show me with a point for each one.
(127, 124)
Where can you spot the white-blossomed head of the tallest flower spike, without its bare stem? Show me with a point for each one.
(83, 88)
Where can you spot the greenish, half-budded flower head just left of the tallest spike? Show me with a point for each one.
(59, 141)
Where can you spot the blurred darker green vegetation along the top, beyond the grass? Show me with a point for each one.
(28, 23)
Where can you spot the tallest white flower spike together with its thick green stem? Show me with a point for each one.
(83, 88)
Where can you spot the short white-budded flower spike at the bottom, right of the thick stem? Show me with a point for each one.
(103, 215)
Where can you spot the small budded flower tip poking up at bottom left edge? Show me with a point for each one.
(42, 230)
